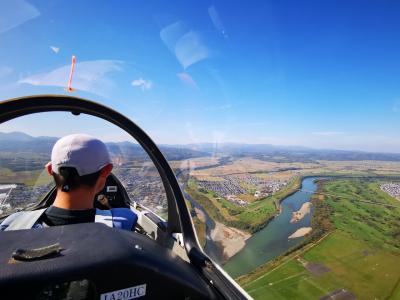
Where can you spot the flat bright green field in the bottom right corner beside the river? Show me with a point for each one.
(367, 276)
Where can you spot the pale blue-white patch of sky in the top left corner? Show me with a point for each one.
(15, 13)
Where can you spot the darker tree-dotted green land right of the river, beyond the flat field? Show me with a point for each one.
(375, 224)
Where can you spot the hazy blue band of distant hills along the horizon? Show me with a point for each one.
(23, 146)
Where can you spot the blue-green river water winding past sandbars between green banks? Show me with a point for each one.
(272, 240)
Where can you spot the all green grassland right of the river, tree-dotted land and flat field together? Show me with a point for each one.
(361, 254)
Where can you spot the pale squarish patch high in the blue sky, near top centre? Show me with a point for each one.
(188, 46)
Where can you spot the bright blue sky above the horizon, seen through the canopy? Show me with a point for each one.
(323, 74)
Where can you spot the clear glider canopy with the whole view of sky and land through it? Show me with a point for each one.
(279, 118)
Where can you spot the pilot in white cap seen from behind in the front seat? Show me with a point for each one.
(79, 165)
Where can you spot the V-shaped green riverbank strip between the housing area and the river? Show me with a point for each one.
(250, 218)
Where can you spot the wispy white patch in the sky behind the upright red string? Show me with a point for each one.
(89, 76)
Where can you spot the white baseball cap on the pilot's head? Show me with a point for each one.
(80, 151)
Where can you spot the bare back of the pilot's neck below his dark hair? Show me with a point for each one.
(78, 199)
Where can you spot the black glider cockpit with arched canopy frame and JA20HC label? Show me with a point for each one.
(160, 259)
